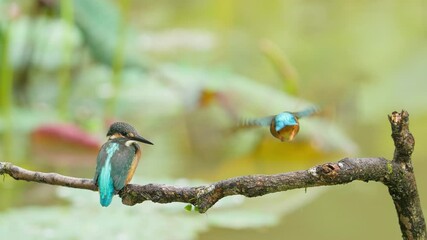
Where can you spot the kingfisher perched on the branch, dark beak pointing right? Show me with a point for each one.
(117, 160)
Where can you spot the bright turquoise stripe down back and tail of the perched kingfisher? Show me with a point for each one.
(105, 181)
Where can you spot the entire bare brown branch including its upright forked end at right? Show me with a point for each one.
(397, 175)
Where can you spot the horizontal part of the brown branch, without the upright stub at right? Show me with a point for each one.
(204, 197)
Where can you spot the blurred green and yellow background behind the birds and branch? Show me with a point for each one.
(183, 73)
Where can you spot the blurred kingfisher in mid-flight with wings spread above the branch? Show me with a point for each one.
(284, 126)
